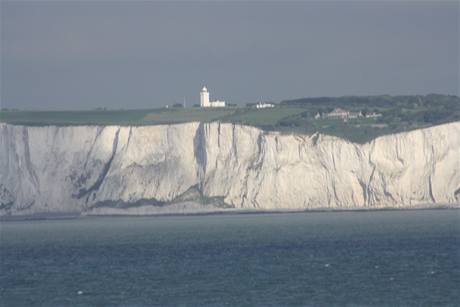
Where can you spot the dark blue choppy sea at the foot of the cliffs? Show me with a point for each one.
(365, 258)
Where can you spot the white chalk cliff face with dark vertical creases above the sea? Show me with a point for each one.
(195, 167)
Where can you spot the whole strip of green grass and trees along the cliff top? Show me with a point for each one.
(398, 113)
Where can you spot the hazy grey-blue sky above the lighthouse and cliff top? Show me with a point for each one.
(80, 55)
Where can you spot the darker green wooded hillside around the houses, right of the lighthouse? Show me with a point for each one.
(399, 113)
